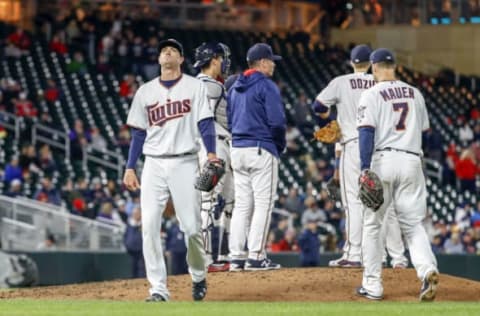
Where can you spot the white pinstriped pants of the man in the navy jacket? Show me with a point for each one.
(255, 174)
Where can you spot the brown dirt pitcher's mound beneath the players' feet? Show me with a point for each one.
(316, 284)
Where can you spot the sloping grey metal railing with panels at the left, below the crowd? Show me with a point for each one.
(22, 217)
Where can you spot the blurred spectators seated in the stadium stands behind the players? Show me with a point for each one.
(315, 222)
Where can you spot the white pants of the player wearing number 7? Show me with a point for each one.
(405, 188)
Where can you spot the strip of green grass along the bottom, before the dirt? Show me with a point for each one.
(111, 308)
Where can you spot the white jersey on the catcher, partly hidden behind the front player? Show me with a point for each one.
(217, 96)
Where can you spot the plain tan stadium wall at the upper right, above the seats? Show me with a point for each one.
(427, 48)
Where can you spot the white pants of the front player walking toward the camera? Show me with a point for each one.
(162, 177)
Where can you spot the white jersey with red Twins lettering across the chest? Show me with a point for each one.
(170, 115)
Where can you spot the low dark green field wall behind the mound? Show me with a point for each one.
(56, 268)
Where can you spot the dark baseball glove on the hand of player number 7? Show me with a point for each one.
(371, 190)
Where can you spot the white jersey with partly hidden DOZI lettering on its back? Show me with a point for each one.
(345, 91)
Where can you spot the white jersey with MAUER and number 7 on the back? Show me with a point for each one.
(398, 113)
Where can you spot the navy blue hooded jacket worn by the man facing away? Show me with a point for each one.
(256, 117)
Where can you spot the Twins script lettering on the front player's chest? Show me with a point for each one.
(158, 114)
